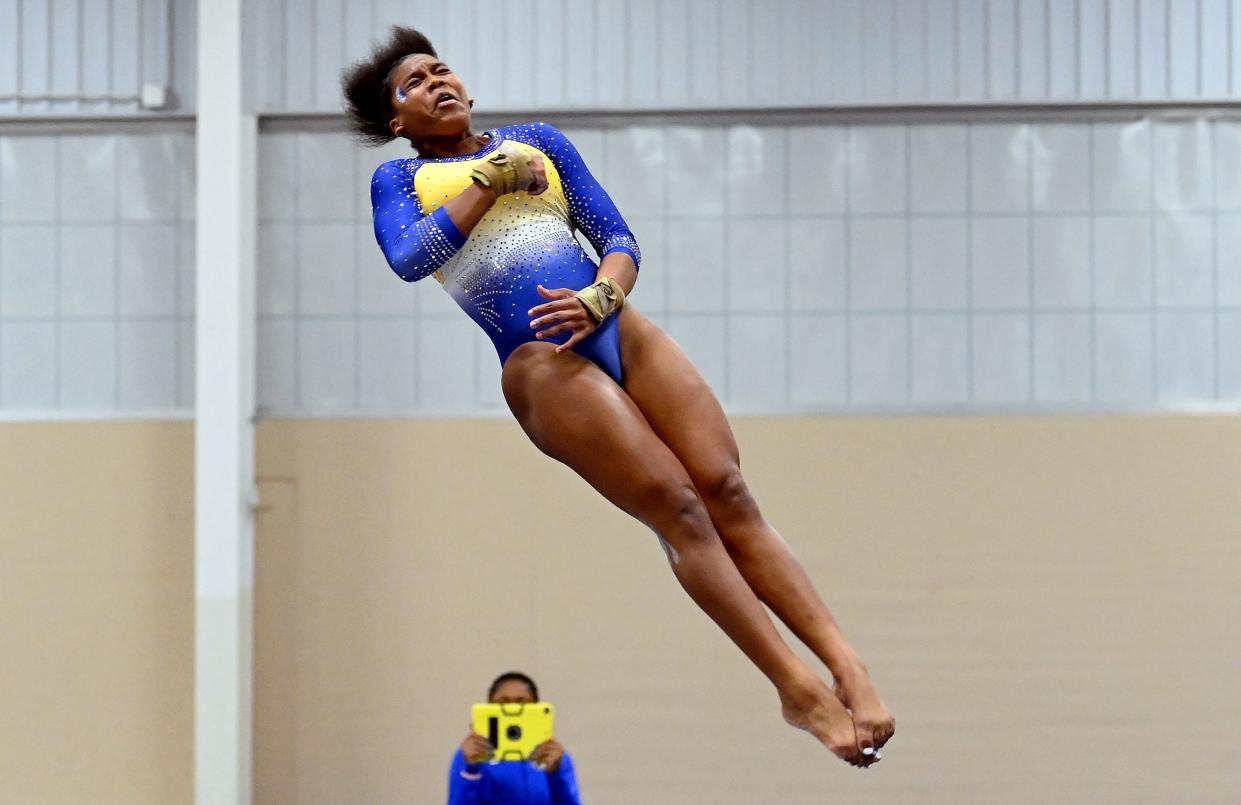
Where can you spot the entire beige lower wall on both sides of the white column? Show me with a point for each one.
(1049, 606)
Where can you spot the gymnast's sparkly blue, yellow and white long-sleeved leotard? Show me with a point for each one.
(522, 242)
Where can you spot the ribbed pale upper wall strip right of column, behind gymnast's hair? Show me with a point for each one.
(519, 55)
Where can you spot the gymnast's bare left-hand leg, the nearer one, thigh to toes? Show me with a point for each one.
(578, 415)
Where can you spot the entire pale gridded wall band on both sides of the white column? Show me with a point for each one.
(1015, 231)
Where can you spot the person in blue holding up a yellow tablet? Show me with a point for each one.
(545, 780)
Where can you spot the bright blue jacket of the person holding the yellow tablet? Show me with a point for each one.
(512, 783)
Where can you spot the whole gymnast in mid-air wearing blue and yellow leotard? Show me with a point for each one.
(594, 383)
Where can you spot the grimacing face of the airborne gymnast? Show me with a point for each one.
(429, 100)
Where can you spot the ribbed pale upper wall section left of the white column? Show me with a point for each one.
(85, 58)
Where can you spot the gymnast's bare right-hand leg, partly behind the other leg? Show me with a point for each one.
(686, 416)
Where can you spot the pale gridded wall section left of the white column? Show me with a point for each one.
(97, 275)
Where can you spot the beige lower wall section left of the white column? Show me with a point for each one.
(96, 613)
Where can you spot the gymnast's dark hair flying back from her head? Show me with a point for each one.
(368, 96)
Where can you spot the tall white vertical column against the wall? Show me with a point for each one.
(224, 406)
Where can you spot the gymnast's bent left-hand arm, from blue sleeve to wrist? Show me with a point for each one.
(418, 245)
